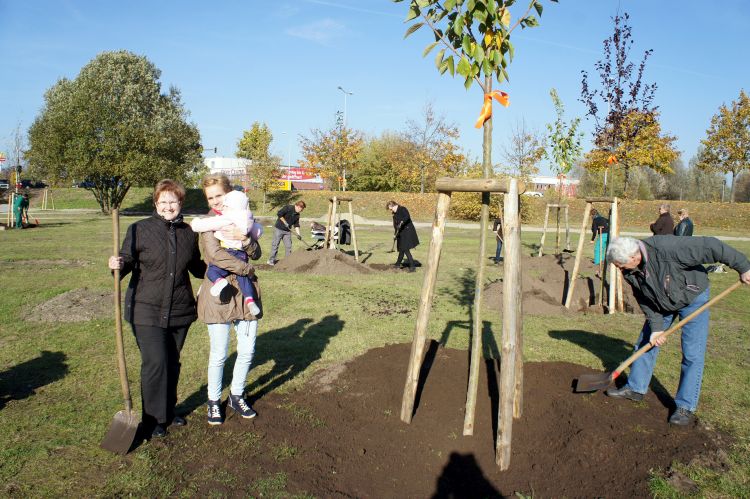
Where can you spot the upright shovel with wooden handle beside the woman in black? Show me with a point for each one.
(122, 431)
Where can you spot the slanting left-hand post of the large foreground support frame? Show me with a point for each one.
(425, 304)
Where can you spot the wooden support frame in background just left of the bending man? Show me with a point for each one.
(614, 301)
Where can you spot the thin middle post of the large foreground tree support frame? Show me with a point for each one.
(476, 343)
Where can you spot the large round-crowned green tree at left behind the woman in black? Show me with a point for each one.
(112, 126)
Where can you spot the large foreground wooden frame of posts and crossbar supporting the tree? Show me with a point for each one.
(511, 376)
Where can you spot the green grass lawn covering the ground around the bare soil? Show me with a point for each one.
(59, 388)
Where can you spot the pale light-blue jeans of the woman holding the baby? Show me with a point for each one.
(219, 338)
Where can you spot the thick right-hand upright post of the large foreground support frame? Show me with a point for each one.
(512, 323)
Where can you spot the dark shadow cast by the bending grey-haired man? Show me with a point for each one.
(611, 351)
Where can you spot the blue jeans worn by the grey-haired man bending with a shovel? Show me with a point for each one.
(694, 337)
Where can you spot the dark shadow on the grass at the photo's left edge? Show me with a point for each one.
(22, 380)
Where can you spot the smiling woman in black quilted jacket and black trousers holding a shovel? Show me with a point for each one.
(159, 304)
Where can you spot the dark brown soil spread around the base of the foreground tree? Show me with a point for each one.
(341, 436)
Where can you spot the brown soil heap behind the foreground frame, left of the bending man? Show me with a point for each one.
(545, 283)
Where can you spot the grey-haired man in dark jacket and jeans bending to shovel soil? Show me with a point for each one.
(668, 279)
